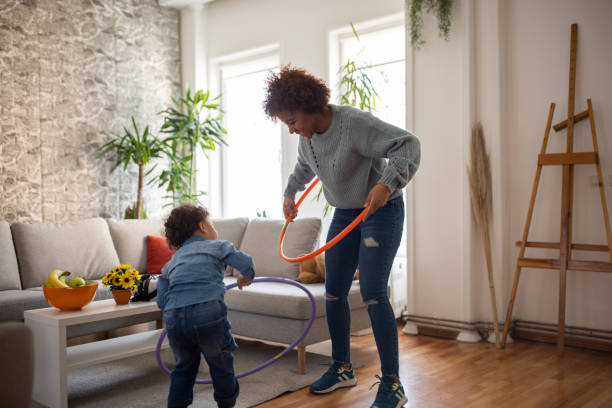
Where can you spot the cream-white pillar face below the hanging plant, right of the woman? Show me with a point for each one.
(438, 186)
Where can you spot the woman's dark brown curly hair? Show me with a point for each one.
(293, 90)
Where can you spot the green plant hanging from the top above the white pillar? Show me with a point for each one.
(441, 8)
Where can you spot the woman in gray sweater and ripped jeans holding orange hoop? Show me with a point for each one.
(361, 161)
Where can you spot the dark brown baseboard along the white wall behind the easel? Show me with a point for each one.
(592, 339)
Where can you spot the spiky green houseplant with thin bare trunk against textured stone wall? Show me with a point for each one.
(136, 148)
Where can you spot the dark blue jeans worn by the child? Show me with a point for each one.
(201, 329)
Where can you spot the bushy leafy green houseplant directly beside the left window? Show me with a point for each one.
(194, 121)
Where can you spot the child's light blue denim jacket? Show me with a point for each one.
(195, 272)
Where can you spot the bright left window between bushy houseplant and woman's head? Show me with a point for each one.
(251, 163)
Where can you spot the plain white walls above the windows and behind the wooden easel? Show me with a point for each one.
(505, 63)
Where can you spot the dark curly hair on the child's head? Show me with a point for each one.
(182, 222)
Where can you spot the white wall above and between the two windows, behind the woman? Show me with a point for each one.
(301, 30)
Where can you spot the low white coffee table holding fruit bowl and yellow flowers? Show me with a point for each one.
(53, 359)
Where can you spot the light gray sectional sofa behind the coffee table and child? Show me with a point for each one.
(267, 311)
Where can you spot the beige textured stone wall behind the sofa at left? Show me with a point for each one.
(72, 73)
